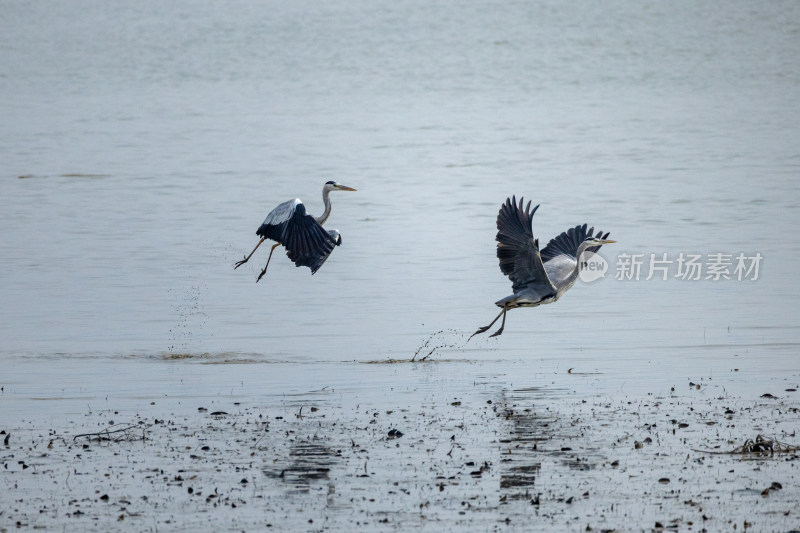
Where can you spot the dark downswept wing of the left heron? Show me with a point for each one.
(306, 243)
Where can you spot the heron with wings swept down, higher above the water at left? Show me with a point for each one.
(306, 242)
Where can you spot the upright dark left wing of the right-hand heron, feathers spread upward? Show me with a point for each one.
(518, 250)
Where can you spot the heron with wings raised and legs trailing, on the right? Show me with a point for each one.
(537, 277)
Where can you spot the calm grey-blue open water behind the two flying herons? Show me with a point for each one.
(143, 143)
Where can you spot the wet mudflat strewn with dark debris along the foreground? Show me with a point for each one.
(489, 460)
